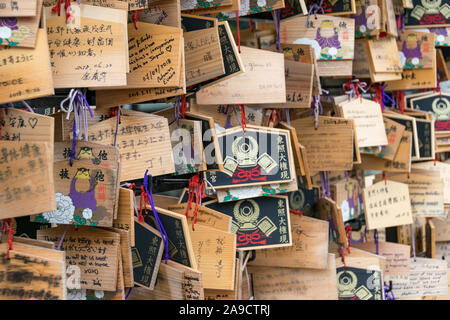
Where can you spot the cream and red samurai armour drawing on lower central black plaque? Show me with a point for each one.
(248, 226)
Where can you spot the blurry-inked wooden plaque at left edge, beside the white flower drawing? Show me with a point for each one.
(26, 186)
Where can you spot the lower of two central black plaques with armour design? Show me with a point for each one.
(259, 223)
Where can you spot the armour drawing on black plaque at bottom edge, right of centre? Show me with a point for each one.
(347, 283)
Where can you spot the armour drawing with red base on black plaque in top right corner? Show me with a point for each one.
(431, 12)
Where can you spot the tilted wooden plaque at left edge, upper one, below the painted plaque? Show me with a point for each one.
(26, 73)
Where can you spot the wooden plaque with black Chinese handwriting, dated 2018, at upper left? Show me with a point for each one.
(78, 59)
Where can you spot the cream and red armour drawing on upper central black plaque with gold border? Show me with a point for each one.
(245, 155)
